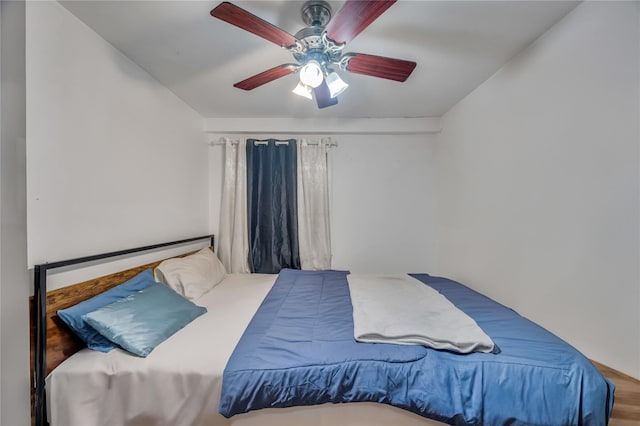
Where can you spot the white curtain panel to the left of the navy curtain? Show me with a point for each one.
(233, 244)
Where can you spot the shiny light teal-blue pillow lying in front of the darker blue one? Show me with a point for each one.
(141, 321)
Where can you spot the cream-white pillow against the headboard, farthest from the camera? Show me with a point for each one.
(193, 275)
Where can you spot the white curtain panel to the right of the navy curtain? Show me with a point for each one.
(313, 205)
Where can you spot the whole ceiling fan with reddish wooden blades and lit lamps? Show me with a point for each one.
(318, 48)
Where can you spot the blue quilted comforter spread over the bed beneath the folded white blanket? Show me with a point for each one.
(299, 349)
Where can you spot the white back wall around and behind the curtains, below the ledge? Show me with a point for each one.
(382, 201)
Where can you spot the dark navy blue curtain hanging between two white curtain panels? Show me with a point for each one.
(272, 205)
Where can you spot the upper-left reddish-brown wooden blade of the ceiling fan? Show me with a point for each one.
(239, 17)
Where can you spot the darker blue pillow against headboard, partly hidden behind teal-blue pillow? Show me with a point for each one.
(73, 316)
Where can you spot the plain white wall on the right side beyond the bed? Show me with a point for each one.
(538, 174)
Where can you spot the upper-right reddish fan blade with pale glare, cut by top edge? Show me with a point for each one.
(354, 17)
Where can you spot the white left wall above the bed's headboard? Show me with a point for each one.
(115, 159)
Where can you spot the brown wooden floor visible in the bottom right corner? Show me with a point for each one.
(626, 408)
